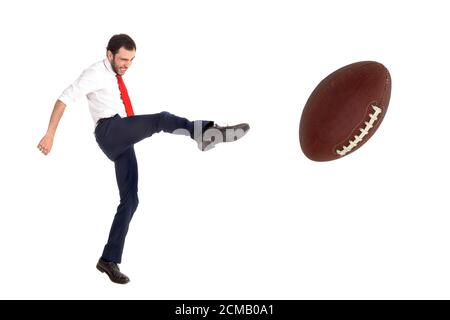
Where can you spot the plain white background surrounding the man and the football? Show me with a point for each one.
(250, 220)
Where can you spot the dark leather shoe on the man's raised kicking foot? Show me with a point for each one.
(217, 134)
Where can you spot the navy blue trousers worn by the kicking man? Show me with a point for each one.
(116, 137)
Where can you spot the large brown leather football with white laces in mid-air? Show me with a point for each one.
(344, 110)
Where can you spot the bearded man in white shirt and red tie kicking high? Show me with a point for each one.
(118, 129)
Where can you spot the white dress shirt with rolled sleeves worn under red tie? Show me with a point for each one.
(99, 84)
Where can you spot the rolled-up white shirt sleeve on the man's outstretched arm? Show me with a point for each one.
(87, 82)
